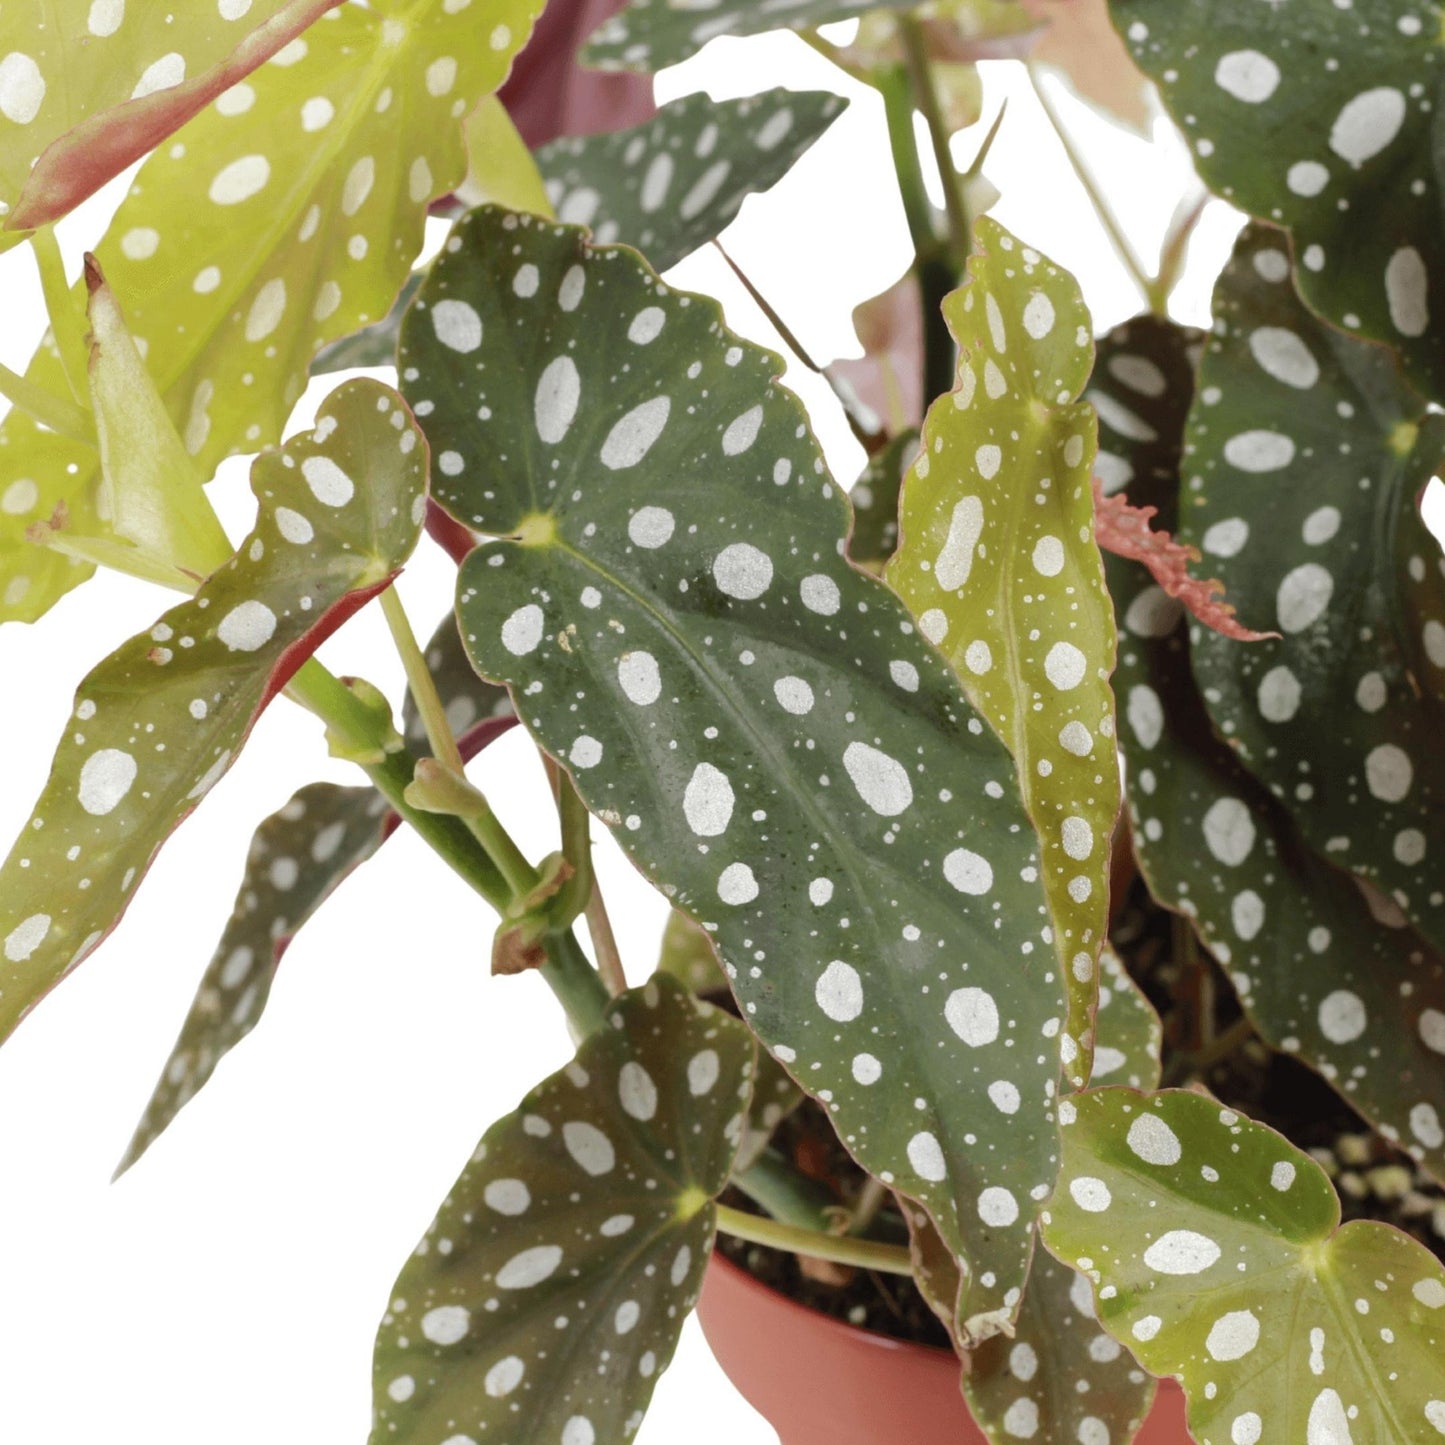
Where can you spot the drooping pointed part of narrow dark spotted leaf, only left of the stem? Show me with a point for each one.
(297, 859)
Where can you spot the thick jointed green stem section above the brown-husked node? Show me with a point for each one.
(358, 726)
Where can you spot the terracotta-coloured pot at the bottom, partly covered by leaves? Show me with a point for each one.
(821, 1382)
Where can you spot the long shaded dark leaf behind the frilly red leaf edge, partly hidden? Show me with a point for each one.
(1327, 969)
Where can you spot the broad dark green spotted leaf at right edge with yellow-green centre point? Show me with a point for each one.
(1304, 462)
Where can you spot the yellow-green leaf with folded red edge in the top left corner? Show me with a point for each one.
(99, 85)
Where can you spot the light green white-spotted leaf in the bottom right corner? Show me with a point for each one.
(1217, 1255)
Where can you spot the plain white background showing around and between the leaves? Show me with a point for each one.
(228, 1290)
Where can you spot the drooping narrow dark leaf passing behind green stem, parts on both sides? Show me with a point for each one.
(297, 860)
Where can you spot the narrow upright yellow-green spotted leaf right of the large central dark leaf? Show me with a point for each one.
(999, 566)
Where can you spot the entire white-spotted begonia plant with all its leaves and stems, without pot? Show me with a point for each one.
(1118, 638)
